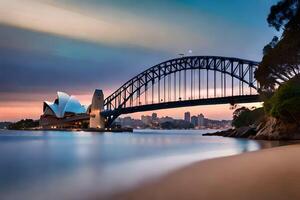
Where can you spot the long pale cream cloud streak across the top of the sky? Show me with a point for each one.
(106, 25)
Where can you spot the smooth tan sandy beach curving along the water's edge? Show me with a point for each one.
(266, 174)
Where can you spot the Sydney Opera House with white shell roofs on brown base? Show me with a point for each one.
(65, 112)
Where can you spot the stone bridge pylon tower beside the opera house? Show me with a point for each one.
(96, 120)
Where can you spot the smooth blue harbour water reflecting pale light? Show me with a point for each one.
(77, 165)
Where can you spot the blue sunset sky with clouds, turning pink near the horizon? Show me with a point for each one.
(77, 46)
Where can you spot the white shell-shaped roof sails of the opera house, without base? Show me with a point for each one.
(65, 104)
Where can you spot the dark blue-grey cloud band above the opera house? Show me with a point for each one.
(33, 62)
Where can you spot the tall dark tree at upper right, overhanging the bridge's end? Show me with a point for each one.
(281, 60)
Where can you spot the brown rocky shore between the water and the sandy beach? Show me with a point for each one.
(269, 129)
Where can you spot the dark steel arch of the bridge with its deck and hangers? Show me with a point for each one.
(126, 99)
